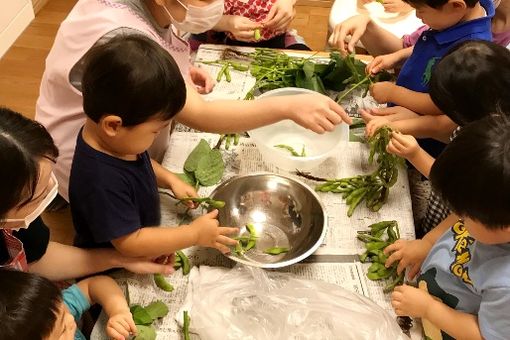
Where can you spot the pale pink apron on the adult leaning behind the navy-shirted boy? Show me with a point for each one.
(59, 106)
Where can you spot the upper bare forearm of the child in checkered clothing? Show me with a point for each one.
(438, 127)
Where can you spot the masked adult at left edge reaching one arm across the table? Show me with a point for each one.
(27, 156)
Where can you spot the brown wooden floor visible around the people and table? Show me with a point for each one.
(21, 69)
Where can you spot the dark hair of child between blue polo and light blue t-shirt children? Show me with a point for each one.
(472, 80)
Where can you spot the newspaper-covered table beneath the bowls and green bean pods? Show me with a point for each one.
(334, 262)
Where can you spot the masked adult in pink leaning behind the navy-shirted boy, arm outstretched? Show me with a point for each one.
(59, 107)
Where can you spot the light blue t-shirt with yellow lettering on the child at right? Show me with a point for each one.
(472, 277)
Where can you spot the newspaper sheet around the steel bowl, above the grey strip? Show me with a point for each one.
(351, 160)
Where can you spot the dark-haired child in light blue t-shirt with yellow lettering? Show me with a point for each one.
(464, 290)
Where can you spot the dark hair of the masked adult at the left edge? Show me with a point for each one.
(23, 142)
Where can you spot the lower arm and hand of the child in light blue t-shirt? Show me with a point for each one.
(415, 302)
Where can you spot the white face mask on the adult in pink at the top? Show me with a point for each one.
(198, 19)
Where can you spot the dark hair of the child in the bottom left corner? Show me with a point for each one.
(29, 305)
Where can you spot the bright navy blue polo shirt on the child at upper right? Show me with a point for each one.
(433, 45)
